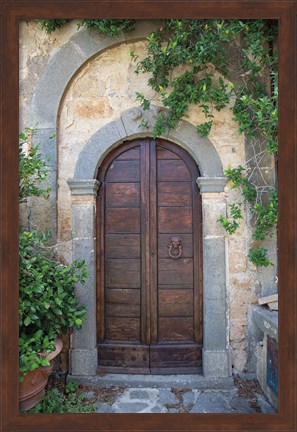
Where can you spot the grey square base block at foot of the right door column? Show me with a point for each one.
(216, 364)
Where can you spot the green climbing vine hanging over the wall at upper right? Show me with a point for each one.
(214, 64)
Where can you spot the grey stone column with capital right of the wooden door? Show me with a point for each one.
(216, 356)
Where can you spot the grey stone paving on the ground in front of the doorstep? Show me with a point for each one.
(168, 400)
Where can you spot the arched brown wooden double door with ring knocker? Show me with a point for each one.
(149, 299)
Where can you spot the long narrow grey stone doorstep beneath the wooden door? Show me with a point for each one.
(155, 381)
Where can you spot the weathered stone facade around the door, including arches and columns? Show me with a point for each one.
(81, 86)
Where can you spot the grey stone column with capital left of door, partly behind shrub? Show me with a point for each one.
(83, 352)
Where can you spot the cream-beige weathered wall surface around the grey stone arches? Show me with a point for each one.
(101, 89)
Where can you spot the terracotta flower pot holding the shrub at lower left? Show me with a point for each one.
(32, 388)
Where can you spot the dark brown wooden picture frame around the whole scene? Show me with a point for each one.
(285, 12)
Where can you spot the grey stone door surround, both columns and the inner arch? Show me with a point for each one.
(84, 188)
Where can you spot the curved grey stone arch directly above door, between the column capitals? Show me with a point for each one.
(128, 126)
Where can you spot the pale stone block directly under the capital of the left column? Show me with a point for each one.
(83, 221)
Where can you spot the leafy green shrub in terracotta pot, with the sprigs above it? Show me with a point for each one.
(47, 303)
